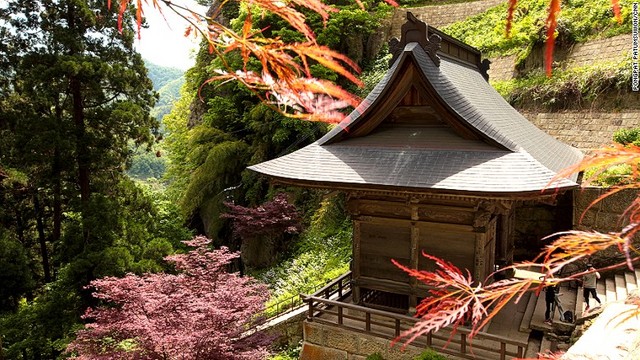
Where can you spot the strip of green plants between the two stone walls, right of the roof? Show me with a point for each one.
(567, 88)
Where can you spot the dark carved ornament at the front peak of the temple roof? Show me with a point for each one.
(415, 30)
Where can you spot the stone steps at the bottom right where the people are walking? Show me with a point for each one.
(544, 338)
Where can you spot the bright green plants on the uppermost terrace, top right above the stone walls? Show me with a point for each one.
(578, 22)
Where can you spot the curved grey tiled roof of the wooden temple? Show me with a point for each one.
(520, 159)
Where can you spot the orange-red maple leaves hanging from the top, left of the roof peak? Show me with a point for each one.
(285, 80)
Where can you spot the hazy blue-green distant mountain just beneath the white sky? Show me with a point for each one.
(167, 81)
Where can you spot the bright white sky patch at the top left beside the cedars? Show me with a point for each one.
(163, 42)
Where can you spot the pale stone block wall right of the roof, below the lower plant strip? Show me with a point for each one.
(585, 130)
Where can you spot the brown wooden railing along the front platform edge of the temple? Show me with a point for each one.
(389, 325)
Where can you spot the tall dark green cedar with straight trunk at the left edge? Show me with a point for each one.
(75, 95)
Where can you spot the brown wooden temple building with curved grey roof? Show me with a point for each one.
(433, 160)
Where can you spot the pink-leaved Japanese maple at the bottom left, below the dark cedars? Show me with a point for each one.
(202, 312)
